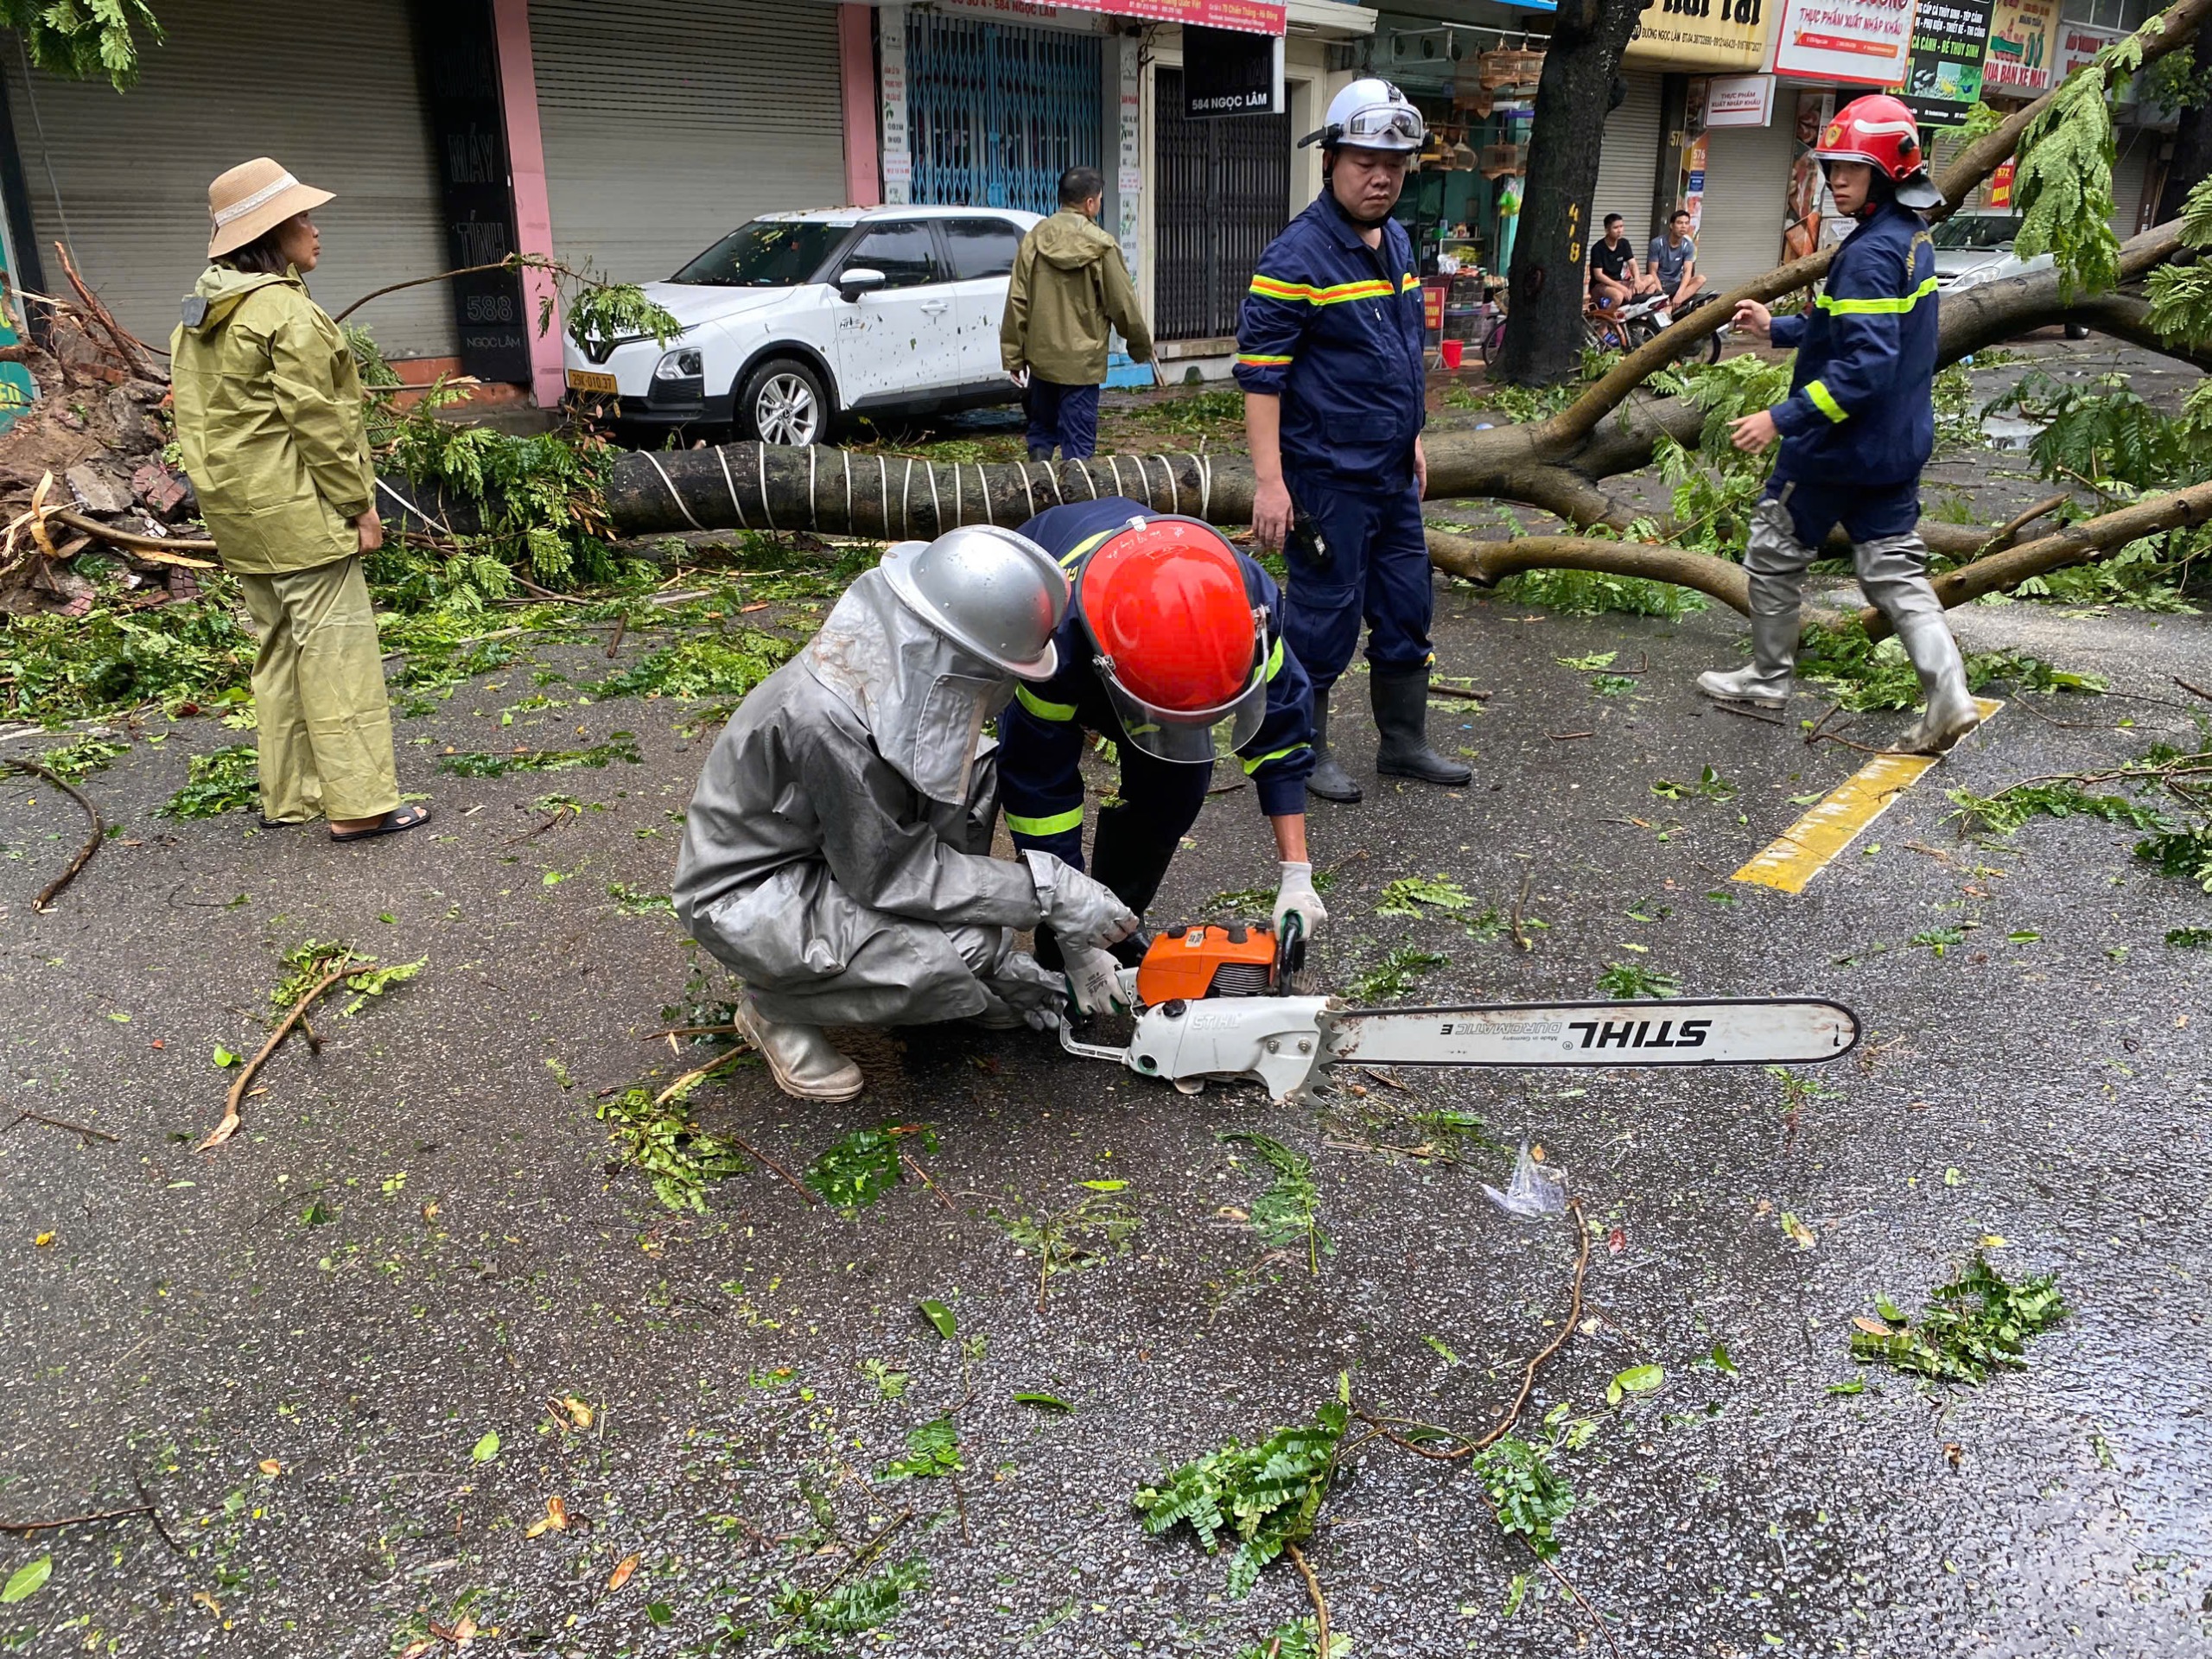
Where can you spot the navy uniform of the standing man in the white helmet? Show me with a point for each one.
(1335, 331)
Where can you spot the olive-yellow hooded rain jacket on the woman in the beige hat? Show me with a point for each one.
(271, 424)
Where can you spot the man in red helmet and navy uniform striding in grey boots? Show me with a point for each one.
(1857, 428)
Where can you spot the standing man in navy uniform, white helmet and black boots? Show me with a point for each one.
(1331, 355)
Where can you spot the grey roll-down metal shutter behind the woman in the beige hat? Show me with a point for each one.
(326, 90)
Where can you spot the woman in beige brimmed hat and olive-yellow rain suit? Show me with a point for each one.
(271, 424)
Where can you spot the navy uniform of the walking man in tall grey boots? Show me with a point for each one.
(1859, 421)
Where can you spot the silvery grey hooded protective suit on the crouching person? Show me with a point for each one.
(837, 853)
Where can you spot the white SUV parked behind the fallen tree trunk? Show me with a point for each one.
(802, 317)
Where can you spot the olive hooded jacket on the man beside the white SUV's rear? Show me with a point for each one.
(1067, 286)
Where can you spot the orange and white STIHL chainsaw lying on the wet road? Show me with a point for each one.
(1218, 1003)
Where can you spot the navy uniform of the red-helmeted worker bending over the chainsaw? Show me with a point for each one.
(1043, 735)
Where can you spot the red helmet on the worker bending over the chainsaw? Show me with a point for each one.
(1180, 643)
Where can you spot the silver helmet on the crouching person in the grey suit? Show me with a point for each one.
(994, 594)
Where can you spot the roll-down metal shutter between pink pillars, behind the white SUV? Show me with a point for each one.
(669, 125)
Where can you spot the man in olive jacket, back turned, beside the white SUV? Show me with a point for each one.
(1067, 286)
